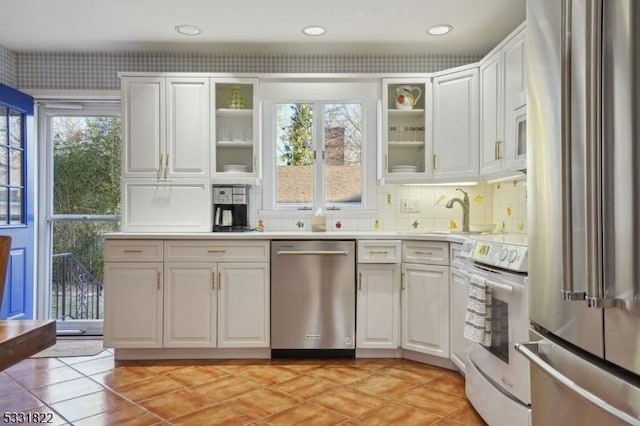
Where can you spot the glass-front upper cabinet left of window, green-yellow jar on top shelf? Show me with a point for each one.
(235, 132)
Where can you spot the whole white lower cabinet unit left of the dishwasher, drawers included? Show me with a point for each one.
(183, 295)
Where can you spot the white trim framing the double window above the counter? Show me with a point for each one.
(339, 90)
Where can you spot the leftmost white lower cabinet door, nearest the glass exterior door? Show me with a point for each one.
(133, 305)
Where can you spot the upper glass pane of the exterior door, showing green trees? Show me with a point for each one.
(86, 162)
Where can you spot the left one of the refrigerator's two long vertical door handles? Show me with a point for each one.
(567, 292)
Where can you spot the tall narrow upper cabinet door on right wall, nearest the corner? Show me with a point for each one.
(491, 114)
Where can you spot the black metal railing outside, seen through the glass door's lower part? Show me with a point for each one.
(75, 292)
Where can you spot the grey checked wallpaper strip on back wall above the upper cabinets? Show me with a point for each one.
(98, 70)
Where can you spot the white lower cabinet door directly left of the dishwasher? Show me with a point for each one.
(243, 305)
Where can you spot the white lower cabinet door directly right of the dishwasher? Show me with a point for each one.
(378, 306)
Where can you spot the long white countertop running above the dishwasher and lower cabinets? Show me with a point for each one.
(292, 235)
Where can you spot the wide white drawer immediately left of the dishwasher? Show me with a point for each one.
(227, 251)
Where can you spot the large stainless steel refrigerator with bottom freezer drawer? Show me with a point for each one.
(583, 135)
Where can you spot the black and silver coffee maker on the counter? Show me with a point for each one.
(230, 208)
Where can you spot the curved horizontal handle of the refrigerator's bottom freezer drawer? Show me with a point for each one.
(532, 350)
